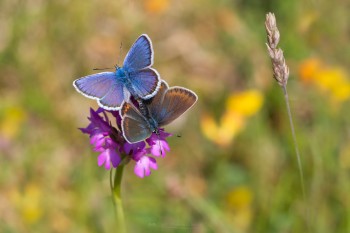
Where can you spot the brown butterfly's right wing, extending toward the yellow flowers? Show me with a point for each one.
(175, 102)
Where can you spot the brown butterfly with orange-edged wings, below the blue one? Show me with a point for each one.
(165, 107)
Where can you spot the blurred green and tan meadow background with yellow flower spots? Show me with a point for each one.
(232, 170)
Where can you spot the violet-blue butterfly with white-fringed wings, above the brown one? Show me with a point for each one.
(136, 78)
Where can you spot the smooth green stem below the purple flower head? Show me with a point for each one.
(117, 199)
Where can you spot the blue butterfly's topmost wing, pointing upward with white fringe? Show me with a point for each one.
(140, 55)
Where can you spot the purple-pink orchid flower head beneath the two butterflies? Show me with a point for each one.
(109, 141)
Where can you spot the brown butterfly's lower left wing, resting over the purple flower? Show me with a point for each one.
(135, 127)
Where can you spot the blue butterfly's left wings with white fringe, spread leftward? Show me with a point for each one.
(104, 87)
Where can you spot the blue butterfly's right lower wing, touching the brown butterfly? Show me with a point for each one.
(145, 83)
